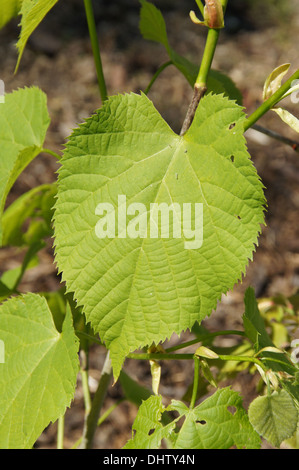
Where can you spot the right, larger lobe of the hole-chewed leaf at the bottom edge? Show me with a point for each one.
(219, 422)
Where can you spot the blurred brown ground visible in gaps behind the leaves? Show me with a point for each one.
(59, 60)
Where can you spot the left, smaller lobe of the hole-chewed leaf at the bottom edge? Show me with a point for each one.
(149, 431)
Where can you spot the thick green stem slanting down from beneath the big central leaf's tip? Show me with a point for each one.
(91, 422)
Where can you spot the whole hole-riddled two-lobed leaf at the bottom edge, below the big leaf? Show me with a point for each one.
(219, 422)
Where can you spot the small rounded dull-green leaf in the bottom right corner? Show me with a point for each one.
(274, 416)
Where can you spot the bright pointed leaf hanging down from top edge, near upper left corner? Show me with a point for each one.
(33, 12)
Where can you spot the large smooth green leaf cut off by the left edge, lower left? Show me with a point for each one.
(38, 377)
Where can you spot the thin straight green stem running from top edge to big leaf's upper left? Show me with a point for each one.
(95, 48)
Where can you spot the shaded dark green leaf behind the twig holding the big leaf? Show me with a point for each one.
(152, 27)
